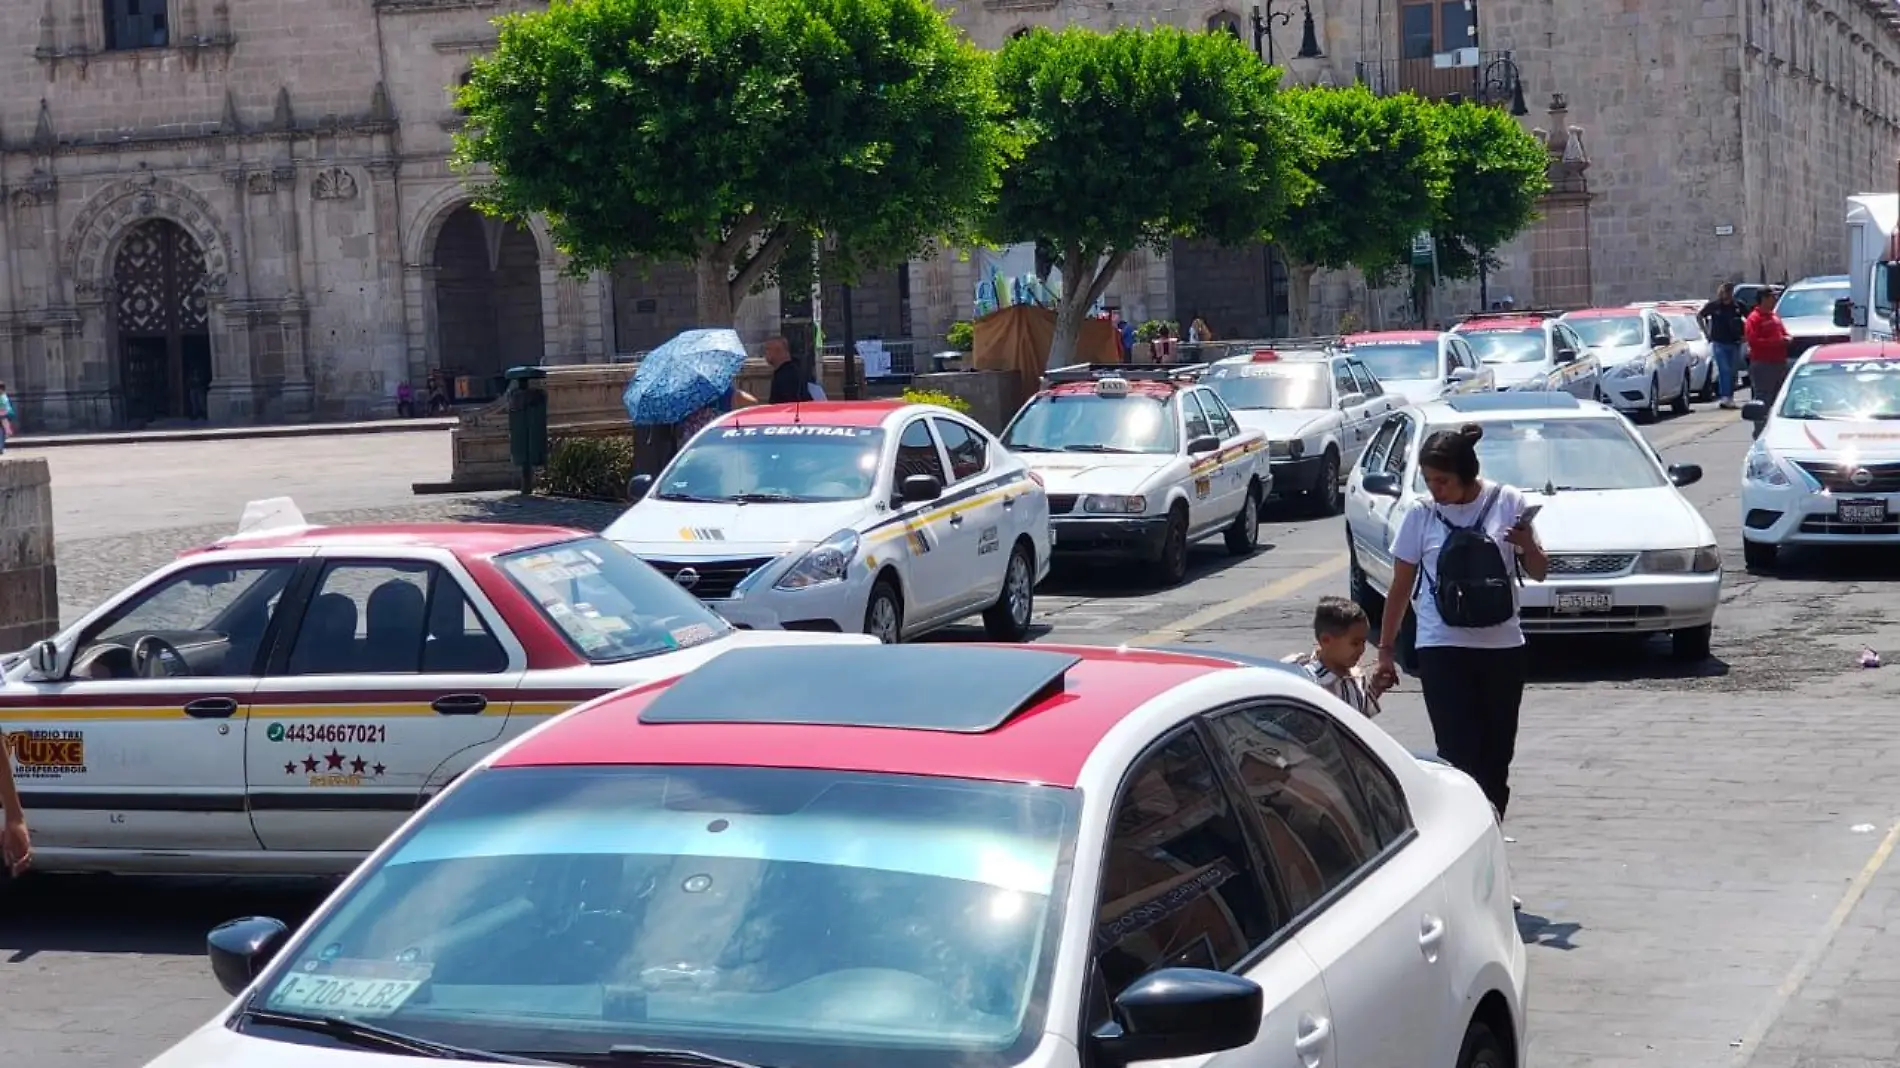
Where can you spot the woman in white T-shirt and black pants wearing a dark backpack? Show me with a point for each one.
(1462, 558)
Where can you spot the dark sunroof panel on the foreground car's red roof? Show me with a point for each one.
(938, 687)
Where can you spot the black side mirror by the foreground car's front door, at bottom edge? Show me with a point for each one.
(1181, 1012)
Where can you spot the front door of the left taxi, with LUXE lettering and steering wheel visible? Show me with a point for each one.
(109, 759)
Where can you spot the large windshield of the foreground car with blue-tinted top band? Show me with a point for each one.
(780, 917)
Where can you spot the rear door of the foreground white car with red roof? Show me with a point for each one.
(1371, 909)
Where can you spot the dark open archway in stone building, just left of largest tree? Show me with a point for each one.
(487, 301)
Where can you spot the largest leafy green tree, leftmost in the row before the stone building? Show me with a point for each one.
(725, 132)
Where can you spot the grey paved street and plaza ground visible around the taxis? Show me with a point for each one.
(1703, 854)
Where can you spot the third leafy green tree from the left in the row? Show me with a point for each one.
(1380, 172)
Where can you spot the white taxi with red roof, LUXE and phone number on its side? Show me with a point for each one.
(282, 700)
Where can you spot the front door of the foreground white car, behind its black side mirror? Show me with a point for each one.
(1181, 887)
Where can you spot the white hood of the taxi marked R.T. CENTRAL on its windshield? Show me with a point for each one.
(687, 531)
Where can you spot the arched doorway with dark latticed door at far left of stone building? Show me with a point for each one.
(164, 332)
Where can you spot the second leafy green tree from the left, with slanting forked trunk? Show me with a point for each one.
(1131, 140)
